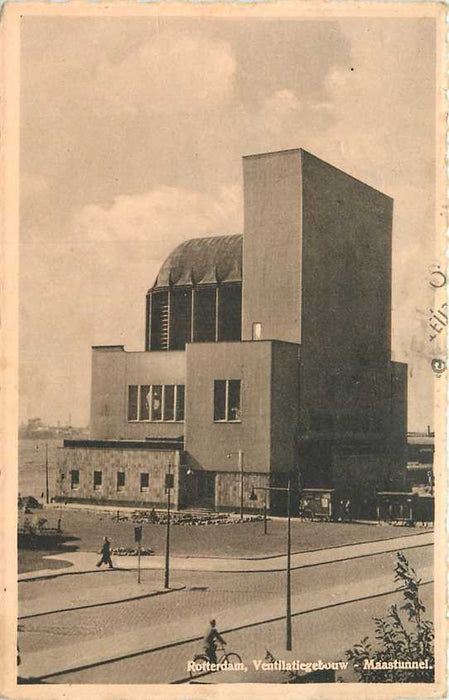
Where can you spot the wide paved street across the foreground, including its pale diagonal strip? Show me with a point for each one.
(332, 608)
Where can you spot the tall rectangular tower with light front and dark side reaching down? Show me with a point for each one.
(317, 273)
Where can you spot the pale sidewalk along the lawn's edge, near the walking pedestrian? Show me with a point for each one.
(84, 562)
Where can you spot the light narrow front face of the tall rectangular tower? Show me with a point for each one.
(272, 247)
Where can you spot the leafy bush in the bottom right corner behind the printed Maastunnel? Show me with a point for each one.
(404, 652)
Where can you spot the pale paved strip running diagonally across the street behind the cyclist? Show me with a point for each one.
(52, 662)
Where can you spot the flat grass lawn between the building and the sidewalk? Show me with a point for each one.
(84, 530)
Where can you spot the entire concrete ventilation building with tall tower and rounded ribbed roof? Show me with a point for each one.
(267, 357)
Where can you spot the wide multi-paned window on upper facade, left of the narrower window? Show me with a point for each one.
(156, 402)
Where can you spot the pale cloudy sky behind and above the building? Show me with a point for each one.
(132, 131)
